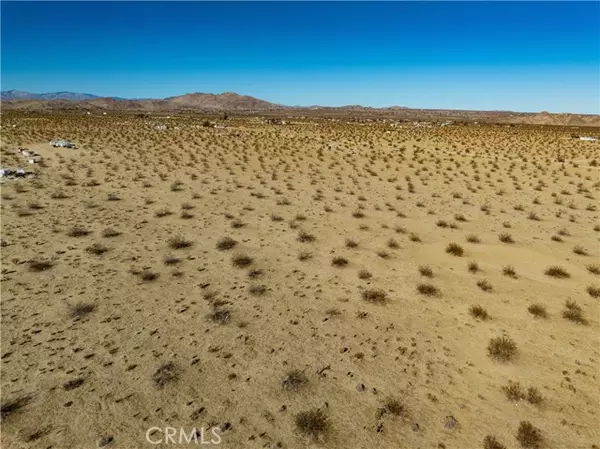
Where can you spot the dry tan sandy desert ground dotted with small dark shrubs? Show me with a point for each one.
(407, 287)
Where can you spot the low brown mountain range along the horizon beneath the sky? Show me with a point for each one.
(229, 101)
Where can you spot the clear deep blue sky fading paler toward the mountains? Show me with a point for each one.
(517, 56)
